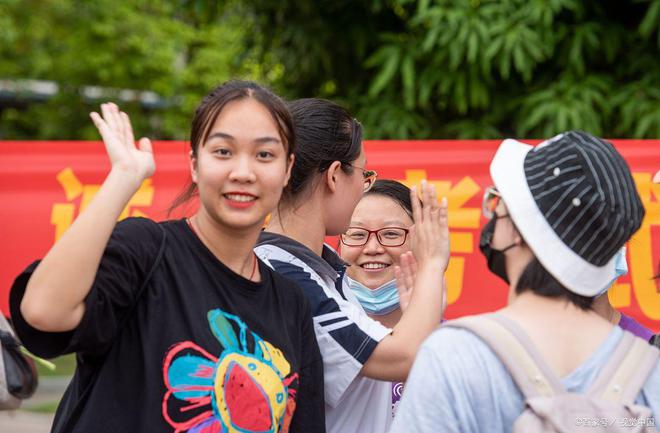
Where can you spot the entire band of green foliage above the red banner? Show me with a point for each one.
(407, 68)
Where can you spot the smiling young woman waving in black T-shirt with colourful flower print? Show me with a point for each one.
(177, 326)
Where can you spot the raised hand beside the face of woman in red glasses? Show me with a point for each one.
(430, 242)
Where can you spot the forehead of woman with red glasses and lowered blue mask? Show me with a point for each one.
(379, 211)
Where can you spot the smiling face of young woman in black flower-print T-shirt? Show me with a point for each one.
(242, 167)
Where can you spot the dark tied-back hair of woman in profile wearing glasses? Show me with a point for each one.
(325, 133)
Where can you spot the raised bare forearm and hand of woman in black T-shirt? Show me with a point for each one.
(55, 295)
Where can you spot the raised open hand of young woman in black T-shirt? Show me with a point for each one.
(117, 133)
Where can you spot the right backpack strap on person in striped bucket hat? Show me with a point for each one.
(625, 373)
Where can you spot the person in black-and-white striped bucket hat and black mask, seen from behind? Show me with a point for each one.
(560, 214)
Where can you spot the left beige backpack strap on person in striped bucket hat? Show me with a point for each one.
(516, 351)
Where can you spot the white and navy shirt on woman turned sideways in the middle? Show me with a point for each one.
(346, 335)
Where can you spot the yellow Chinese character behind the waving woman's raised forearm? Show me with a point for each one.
(63, 214)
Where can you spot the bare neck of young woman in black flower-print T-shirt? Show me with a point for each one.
(234, 248)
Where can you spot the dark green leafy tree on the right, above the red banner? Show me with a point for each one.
(474, 68)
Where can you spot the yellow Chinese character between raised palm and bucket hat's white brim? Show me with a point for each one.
(460, 217)
